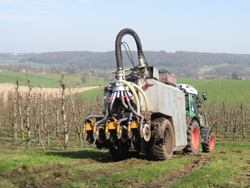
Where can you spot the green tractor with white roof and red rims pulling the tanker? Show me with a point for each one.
(197, 133)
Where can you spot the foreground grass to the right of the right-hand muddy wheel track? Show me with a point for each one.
(227, 170)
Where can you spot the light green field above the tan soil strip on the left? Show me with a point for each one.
(48, 80)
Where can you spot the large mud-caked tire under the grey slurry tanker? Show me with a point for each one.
(161, 149)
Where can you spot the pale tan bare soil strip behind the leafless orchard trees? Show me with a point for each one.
(54, 91)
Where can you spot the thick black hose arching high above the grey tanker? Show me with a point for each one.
(118, 51)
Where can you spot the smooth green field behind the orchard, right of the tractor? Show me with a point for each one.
(230, 91)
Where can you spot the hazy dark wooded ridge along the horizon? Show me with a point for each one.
(180, 62)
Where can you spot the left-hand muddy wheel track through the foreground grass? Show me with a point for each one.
(23, 176)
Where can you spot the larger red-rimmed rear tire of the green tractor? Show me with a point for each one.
(193, 138)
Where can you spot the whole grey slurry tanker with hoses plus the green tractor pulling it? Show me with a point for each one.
(147, 112)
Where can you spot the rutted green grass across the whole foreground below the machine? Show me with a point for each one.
(83, 167)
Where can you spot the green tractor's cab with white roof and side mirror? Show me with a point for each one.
(192, 101)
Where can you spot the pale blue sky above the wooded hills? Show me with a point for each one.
(217, 26)
